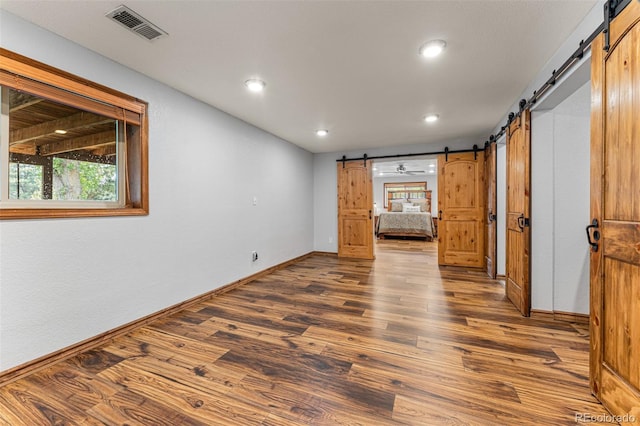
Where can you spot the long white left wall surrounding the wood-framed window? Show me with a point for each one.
(62, 281)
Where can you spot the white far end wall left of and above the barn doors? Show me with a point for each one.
(325, 186)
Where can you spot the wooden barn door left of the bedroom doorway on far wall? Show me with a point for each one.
(355, 204)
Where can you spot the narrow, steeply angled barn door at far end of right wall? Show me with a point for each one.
(490, 154)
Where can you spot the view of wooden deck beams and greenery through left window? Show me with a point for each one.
(60, 153)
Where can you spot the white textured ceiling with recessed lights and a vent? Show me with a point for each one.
(351, 67)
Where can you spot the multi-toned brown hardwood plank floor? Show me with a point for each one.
(328, 341)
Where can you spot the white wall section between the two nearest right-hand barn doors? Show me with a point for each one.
(560, 205)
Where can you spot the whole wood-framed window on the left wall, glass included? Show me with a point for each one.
(68, 147)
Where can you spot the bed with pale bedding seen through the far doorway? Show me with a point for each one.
(406, 218)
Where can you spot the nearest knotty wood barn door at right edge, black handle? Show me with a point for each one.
(615, 212)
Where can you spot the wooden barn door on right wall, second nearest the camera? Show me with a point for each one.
(518, 281)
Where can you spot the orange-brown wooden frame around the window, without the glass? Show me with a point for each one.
(22, 73)
